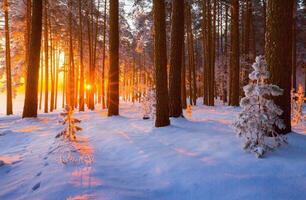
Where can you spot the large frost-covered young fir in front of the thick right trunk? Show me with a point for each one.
(259, 118)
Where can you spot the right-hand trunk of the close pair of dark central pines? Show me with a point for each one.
(177, 40)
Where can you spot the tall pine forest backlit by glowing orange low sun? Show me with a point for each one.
(94, 52)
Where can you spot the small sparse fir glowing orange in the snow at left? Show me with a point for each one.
(71, 128)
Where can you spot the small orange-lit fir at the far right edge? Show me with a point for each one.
(297, 105)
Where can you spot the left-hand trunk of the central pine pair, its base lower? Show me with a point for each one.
(160, 62)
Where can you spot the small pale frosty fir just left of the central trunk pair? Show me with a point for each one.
(148, 102)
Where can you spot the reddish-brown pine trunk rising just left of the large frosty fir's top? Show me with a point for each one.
(234, 56)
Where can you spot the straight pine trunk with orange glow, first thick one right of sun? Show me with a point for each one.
(113, 109)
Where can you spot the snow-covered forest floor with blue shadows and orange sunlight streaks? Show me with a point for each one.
(124, 157)
